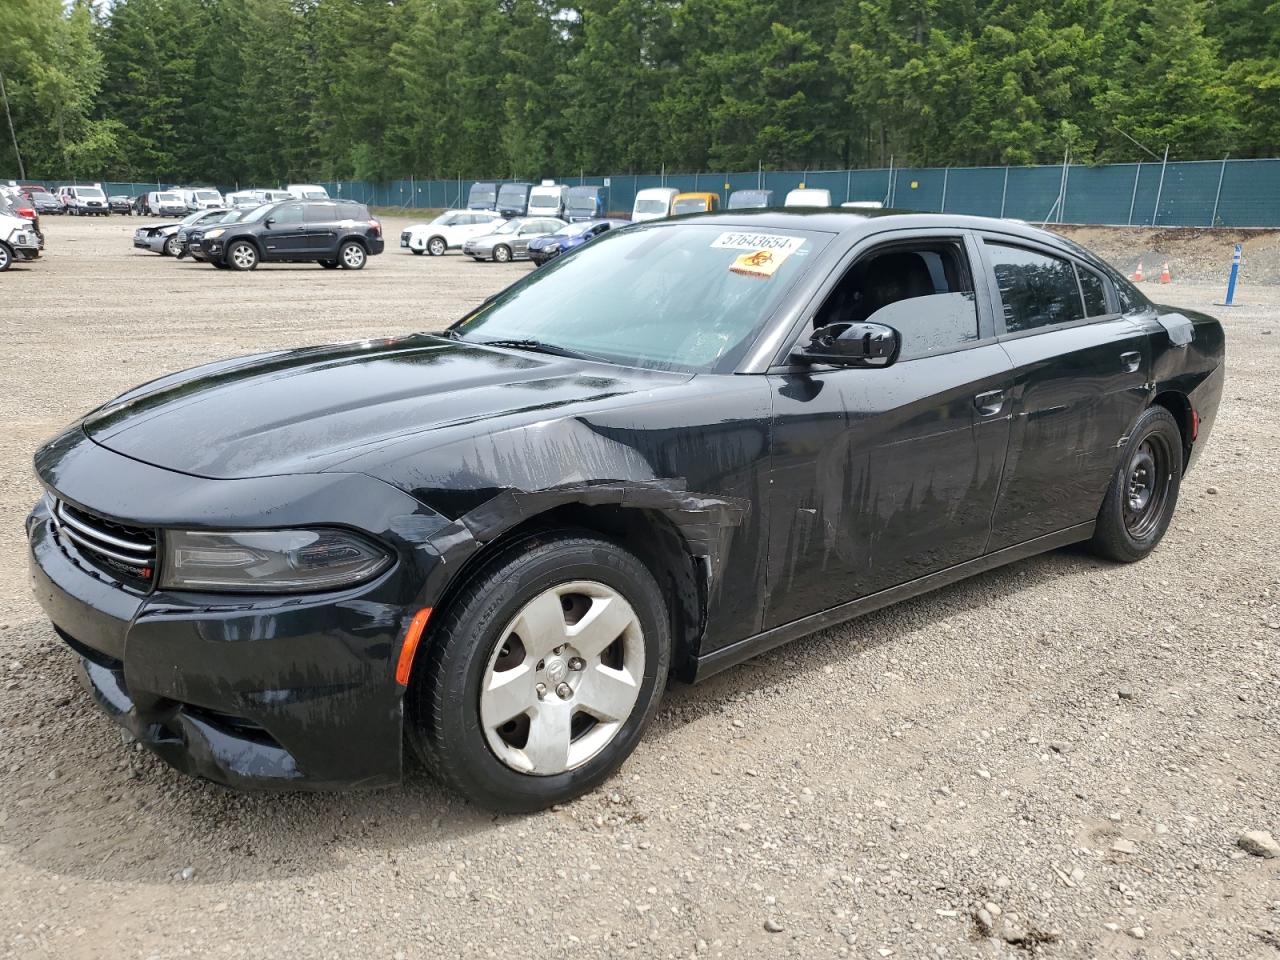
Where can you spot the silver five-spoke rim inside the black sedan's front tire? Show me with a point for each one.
(563, 679)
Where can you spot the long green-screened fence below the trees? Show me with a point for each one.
(1186, 194)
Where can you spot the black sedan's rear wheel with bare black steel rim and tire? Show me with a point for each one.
(1144, 493)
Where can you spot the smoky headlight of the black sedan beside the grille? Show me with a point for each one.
(269, 561)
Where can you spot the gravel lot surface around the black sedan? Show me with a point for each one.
(1076, 743)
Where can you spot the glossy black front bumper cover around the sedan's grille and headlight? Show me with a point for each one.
(290, 692)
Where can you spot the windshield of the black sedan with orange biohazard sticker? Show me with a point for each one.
(687, 298)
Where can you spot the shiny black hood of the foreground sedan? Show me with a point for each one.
(310, 410)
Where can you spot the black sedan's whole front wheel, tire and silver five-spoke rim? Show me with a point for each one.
(467, 651)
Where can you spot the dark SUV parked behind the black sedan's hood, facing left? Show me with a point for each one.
(328, 232)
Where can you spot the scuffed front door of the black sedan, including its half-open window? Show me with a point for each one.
(885, 476)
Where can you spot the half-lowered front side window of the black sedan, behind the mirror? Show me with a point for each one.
(924, 290)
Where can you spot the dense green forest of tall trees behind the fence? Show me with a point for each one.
(266, 90)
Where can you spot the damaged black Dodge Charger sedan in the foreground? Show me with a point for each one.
(688, 444)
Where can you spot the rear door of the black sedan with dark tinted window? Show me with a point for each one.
(1082, 376)
